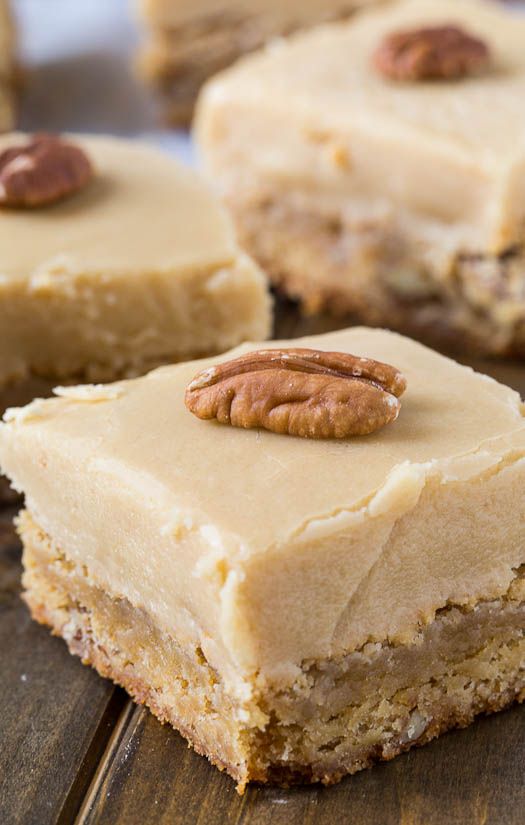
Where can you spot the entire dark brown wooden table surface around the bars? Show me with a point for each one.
(75, 749)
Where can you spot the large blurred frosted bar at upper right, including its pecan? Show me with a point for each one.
(376, 168)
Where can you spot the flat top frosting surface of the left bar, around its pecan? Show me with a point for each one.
(143, 212)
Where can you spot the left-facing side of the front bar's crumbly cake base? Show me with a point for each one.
(176, 682)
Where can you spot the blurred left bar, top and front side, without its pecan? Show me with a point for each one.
(139, 268)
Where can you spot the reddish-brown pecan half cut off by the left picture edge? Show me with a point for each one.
(41, 172)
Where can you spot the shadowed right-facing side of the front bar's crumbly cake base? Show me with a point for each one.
(384, 699)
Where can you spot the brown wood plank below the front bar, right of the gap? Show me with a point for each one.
(471, 777)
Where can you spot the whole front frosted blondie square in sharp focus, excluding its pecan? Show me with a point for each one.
(298, 608)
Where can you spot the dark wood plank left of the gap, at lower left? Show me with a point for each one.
(56, 715)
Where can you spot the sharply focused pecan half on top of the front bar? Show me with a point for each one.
(301, 392)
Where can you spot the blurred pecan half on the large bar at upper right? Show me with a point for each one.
(433, 53)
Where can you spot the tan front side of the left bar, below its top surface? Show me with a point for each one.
(101, 326)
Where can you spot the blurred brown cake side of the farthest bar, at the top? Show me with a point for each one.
(178, 60)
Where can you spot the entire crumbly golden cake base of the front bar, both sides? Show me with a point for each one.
(339, 716)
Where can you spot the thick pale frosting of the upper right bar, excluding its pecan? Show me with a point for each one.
(445, 158)
